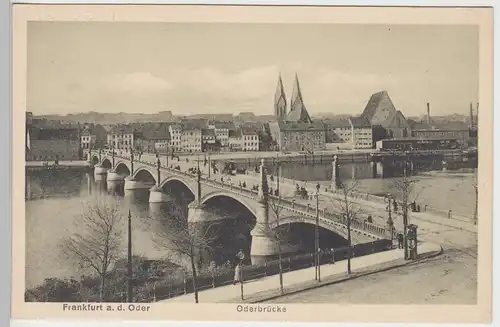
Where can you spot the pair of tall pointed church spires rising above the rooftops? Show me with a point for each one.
(298, 111)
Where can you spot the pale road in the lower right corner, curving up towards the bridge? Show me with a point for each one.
(448, 279)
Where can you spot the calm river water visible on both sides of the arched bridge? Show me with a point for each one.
(60, 198)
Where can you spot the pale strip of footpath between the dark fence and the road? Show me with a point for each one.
(267, 288)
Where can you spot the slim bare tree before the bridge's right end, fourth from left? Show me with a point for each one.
(347, 202)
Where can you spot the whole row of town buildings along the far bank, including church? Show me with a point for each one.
(291, 129)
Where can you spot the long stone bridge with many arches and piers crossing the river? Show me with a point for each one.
(269, 210)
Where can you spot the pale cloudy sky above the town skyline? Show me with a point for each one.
(229, 68)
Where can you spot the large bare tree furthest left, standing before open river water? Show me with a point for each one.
(98, 243)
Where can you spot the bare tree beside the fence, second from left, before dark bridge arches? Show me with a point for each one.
(183, 239)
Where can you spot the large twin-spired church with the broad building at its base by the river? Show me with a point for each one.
(294, 130)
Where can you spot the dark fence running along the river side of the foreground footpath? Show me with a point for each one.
(269, 268)
